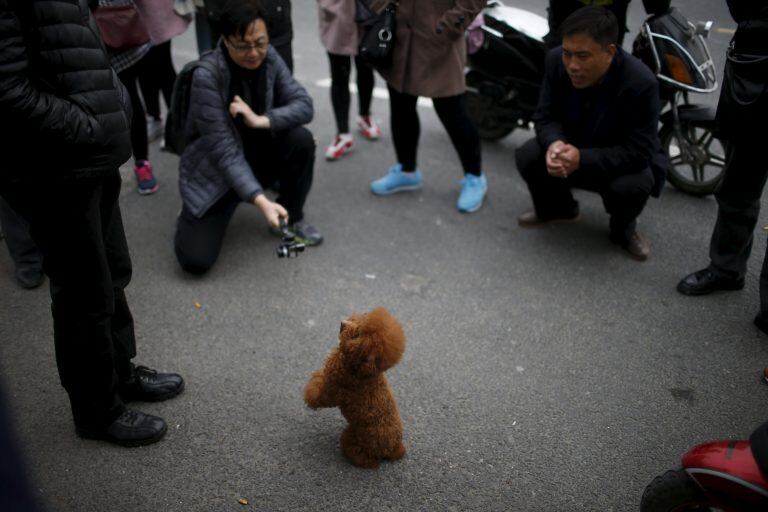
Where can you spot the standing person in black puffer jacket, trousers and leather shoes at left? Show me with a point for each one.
(63, 136)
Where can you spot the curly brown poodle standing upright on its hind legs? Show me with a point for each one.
(353, 380)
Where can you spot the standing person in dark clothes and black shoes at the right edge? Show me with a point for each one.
(742, 115)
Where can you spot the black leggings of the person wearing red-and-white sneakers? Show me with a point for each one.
(341, 68)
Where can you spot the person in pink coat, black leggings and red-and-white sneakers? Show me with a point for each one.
(339, 35)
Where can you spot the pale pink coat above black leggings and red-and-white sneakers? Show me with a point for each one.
(338, 30)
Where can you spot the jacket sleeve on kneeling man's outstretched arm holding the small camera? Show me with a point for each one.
(219, 136)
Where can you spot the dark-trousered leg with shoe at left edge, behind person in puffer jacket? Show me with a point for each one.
(26, 257)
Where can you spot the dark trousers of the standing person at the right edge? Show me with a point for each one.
(738, 200)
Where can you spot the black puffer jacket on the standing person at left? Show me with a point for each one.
(62, 107)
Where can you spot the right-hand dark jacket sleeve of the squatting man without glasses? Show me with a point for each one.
(640, 143)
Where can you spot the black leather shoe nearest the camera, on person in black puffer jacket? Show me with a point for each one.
(132, 428)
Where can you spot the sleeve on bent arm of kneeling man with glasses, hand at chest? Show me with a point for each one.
(292, 104)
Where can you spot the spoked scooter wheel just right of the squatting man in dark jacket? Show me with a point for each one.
(696, 158)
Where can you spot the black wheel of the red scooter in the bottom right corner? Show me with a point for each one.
(674, 491)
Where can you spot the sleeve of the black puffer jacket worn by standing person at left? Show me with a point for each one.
(26, 106)
